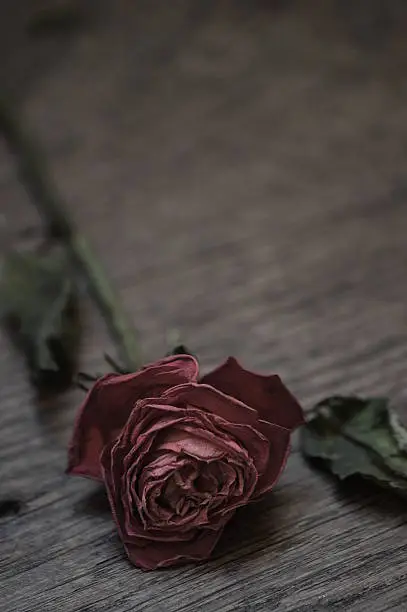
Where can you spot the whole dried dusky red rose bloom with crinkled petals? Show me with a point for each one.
(178, 454)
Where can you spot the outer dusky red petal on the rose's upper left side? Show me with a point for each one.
(109, 403)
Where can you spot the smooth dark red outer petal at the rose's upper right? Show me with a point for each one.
(266, 394)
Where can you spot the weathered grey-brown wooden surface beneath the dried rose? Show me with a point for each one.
(240, 168)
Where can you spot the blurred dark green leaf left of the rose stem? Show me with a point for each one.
(38, 301)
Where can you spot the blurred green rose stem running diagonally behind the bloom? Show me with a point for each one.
(34, 174)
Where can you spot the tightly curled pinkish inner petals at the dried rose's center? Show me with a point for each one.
(191, 477)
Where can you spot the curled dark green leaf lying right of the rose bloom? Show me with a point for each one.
(358, 437)
